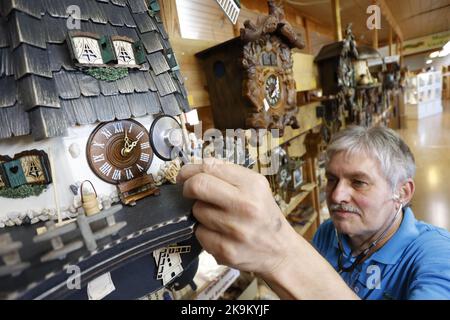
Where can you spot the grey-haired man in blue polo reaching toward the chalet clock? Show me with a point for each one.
(371, 248)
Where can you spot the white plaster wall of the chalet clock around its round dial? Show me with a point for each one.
(67, 170)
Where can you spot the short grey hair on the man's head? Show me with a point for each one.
(383, 144)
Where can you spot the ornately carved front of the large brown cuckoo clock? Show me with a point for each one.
(267, 60)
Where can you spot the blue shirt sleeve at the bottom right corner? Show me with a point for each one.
(430, 279)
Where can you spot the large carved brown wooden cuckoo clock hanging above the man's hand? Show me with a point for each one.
(250, 78)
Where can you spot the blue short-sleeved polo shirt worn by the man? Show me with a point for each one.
(413, 264)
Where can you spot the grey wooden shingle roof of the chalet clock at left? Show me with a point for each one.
(43, 92)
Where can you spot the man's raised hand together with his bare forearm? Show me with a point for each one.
(241, 226)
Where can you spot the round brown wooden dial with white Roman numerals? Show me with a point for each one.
(119, 151)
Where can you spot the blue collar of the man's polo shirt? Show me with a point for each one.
(393, 249)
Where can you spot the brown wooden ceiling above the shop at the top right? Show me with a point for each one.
(416, 18)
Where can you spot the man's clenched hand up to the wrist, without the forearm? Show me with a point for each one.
(240, 222)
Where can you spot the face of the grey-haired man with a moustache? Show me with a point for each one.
(358, 196)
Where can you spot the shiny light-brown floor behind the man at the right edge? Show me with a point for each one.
(429, 140)
